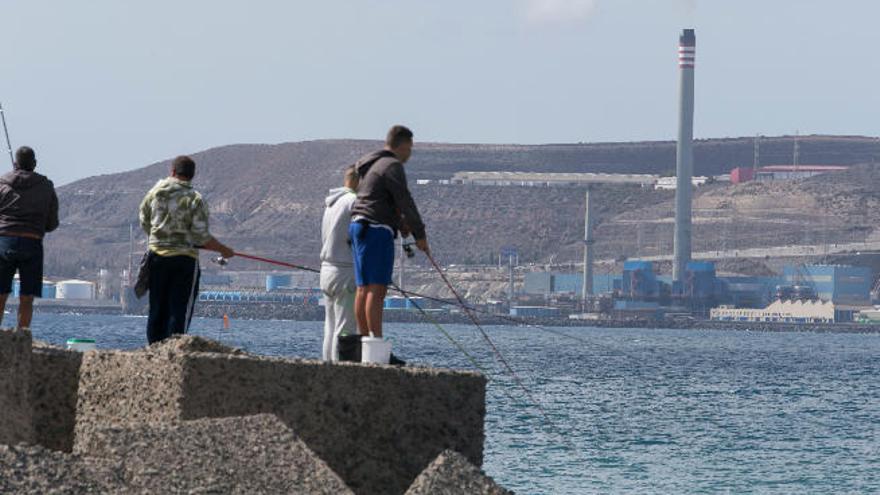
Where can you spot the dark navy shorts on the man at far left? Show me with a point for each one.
(26, 256)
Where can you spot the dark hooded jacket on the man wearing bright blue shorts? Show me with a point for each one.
(383, 196)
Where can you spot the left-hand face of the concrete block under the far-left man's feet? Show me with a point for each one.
(16, 424)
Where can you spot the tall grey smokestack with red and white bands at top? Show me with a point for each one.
(684, 155)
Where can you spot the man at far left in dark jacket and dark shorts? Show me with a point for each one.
(28, 209)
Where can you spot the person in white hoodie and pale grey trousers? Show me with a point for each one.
(337, 269)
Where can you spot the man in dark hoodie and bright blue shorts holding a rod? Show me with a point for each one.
(383, 208)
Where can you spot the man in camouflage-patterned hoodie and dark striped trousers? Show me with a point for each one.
(176, 218)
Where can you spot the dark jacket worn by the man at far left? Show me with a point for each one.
(28, 203)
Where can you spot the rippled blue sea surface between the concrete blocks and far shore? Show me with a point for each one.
(627, 411)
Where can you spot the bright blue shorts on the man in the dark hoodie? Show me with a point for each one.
(373, 250)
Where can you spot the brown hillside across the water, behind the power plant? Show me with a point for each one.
(268, 199)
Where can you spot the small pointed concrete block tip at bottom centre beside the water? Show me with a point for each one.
(452, 474)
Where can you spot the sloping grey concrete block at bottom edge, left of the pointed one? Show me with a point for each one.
(252, 454)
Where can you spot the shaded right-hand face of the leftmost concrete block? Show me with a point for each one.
(53, 388)
